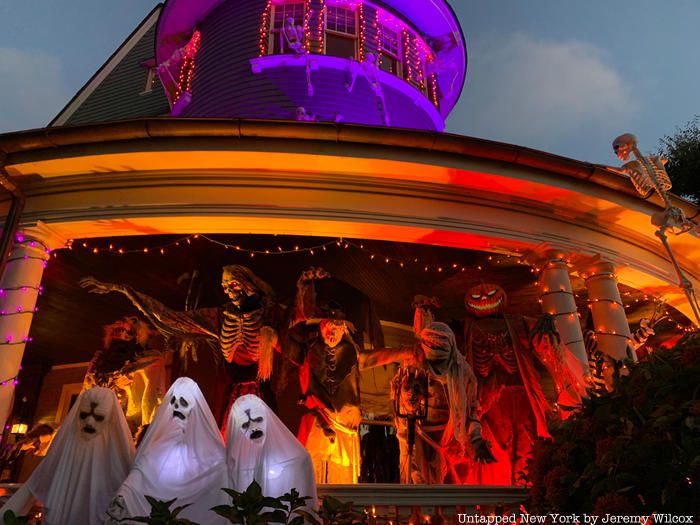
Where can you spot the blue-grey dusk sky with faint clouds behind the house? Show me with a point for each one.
(560, 76)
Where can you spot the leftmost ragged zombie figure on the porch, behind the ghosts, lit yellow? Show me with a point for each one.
(131, 365)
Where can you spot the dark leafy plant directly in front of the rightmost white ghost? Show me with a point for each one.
(252, 508)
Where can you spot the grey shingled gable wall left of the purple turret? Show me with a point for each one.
(120, 95)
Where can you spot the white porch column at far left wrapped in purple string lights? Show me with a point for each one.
(20, 286)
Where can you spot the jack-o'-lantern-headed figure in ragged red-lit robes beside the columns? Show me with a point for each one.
(501, 349)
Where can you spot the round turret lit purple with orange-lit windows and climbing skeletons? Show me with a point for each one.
(394, 63)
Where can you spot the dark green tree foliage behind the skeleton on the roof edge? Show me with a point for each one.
(683, 153)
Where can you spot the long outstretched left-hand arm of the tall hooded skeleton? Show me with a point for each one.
(166, 321)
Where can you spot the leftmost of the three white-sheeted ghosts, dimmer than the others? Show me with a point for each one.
(87, 462)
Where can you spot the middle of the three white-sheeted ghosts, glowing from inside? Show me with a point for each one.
(181, 456)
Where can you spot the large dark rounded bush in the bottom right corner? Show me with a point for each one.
(636, 448)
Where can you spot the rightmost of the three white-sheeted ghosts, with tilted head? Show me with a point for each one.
(260, 447)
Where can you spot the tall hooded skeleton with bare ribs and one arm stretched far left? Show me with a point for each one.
(242, 329)
